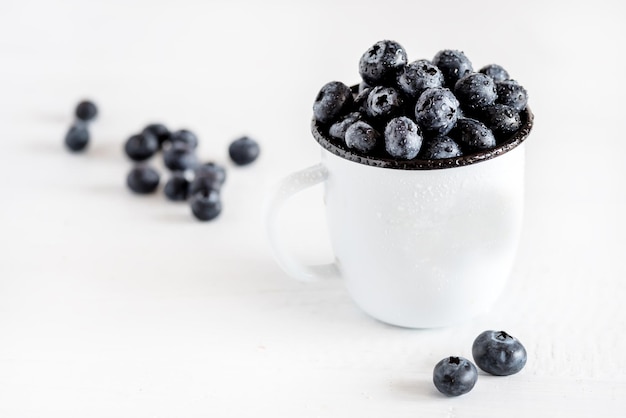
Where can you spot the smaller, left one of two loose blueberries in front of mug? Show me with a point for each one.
(454, 376)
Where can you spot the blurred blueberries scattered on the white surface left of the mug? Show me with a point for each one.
(190, 180)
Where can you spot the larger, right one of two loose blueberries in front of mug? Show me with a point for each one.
(498, 353)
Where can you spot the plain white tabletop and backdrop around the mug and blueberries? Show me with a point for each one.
(116, 305)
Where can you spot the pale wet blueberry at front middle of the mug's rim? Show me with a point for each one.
(403, 138)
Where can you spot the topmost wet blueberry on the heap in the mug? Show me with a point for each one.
(382, 62)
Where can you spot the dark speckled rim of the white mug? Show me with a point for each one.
(417, 164)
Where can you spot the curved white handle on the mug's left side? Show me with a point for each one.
(287, 188)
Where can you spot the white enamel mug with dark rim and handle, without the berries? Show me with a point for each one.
(419, 244)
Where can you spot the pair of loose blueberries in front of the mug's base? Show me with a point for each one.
(495, 352)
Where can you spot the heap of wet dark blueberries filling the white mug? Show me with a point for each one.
(420, 110)
